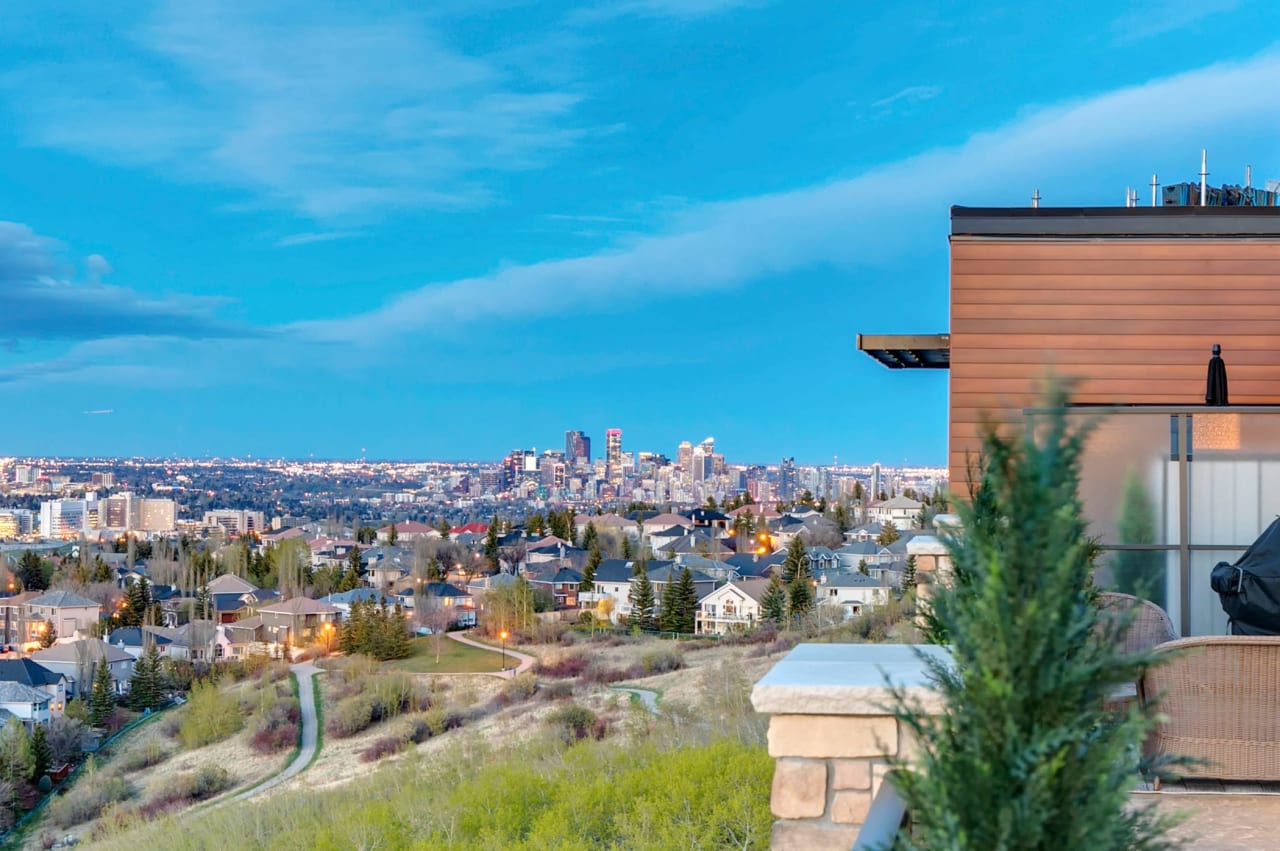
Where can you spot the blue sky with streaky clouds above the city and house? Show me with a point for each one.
(294, 230)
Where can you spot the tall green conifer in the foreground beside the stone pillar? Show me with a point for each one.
(1031, 660)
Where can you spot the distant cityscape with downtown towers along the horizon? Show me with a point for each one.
(66, 498)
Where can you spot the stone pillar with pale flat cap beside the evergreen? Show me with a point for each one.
(831, 731)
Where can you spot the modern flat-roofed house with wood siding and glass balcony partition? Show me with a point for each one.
(1127, 303)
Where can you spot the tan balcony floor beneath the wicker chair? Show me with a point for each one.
(1219, 816)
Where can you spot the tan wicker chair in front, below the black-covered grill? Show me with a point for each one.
(1220, 703)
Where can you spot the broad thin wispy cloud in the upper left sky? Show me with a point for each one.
(322, 115)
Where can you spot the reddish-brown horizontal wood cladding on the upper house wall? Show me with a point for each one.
(1132, 318)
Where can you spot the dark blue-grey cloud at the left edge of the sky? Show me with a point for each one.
(43, 301)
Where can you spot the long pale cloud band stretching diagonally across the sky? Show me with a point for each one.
(875, 219)
